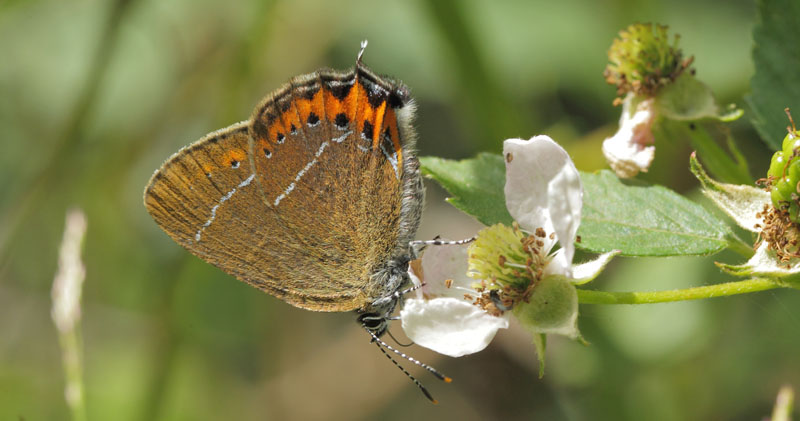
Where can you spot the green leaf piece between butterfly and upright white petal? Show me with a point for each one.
(476, 185)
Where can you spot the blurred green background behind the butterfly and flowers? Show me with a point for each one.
(95, 94)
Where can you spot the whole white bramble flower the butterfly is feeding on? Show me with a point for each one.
(470, 293)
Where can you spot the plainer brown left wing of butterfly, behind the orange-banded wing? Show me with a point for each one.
(205, 198)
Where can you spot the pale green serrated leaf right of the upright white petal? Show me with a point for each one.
(644, 220)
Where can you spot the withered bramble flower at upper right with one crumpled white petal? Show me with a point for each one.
(653, 85)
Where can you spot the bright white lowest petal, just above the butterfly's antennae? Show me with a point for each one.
(449, 326)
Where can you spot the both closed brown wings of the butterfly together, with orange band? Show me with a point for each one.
(293, 203)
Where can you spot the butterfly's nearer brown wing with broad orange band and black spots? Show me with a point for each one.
(324, 196)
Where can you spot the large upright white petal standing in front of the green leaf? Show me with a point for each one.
(543, 189)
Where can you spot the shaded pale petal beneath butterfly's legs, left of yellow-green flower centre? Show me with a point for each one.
(440, 263)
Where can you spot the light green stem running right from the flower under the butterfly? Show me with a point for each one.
(586, 296)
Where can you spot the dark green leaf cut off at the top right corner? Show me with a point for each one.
(776, 55)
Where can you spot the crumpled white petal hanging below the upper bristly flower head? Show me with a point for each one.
(631, 149)
